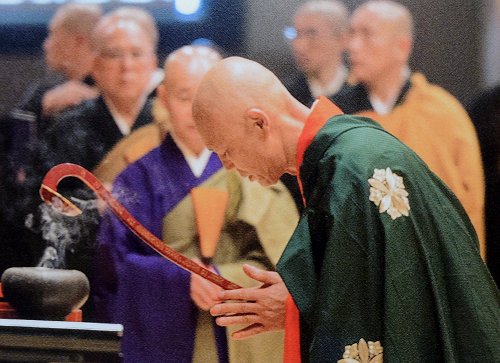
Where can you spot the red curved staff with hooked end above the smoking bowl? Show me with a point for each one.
(49, 194)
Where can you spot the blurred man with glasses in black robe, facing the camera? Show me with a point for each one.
(125, 59)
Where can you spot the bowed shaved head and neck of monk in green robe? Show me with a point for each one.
(246, 115)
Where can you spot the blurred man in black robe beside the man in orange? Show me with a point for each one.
(318, 43)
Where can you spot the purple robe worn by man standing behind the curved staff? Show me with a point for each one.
(146, 293)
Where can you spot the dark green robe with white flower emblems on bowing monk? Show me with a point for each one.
(416, 284)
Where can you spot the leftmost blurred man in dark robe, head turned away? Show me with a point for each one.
(69, 56)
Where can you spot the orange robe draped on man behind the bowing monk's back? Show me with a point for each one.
(436, 126)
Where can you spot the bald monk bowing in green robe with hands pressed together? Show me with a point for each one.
(384, 262)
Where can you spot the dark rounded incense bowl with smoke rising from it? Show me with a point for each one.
(42, 293)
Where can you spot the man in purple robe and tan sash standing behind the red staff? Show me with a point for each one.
(162, 307)
